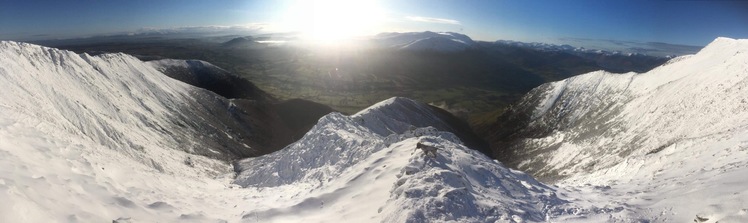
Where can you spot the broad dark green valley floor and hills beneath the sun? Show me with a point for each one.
(480, 80)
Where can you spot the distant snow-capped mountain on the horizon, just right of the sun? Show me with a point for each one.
(425, 41)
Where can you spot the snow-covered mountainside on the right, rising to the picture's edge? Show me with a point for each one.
(662, 139)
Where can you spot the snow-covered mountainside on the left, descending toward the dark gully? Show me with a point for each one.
(94, 138)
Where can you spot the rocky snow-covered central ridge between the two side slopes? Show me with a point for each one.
(344, 171)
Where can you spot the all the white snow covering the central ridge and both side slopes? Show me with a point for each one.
(94, 139)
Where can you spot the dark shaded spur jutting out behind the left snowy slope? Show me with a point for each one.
(281, 122)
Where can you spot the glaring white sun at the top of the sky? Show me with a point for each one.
(334, 20)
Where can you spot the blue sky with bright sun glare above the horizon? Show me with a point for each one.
(674, 21)
